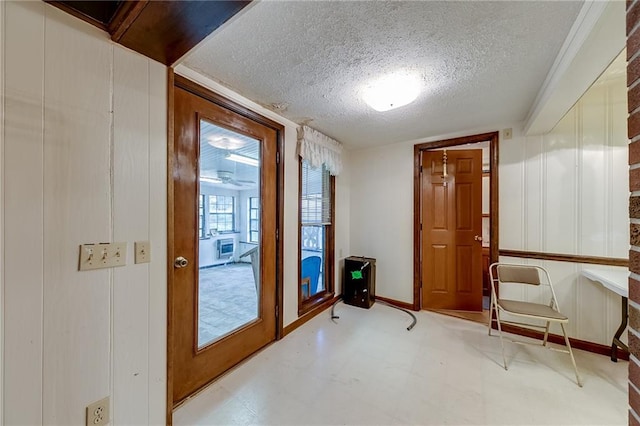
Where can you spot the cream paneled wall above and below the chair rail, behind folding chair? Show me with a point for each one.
(566, 192)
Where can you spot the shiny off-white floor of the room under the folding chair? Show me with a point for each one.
(367, 369)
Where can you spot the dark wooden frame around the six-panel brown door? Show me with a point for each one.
(493, 139)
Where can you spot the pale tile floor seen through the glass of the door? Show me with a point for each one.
(227, 300)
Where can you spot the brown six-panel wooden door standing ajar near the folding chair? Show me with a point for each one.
(452, 230)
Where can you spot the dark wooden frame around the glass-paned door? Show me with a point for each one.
(177, 81)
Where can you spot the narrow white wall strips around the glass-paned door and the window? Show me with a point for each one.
(291, 194)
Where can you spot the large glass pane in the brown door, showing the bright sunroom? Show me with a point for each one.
(228, 235)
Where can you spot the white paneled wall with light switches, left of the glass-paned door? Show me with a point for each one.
(84, 160)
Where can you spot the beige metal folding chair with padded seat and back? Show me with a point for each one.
(526, 275)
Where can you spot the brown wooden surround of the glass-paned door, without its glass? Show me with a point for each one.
(195, 365)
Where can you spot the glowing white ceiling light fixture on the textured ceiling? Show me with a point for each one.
(392, 91)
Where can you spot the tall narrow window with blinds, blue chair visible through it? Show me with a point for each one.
(316, 236)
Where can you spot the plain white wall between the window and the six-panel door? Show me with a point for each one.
(381, 215)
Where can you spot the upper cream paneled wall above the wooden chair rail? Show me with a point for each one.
(561, 192)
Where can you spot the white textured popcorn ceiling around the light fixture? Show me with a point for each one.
(482, 63)
